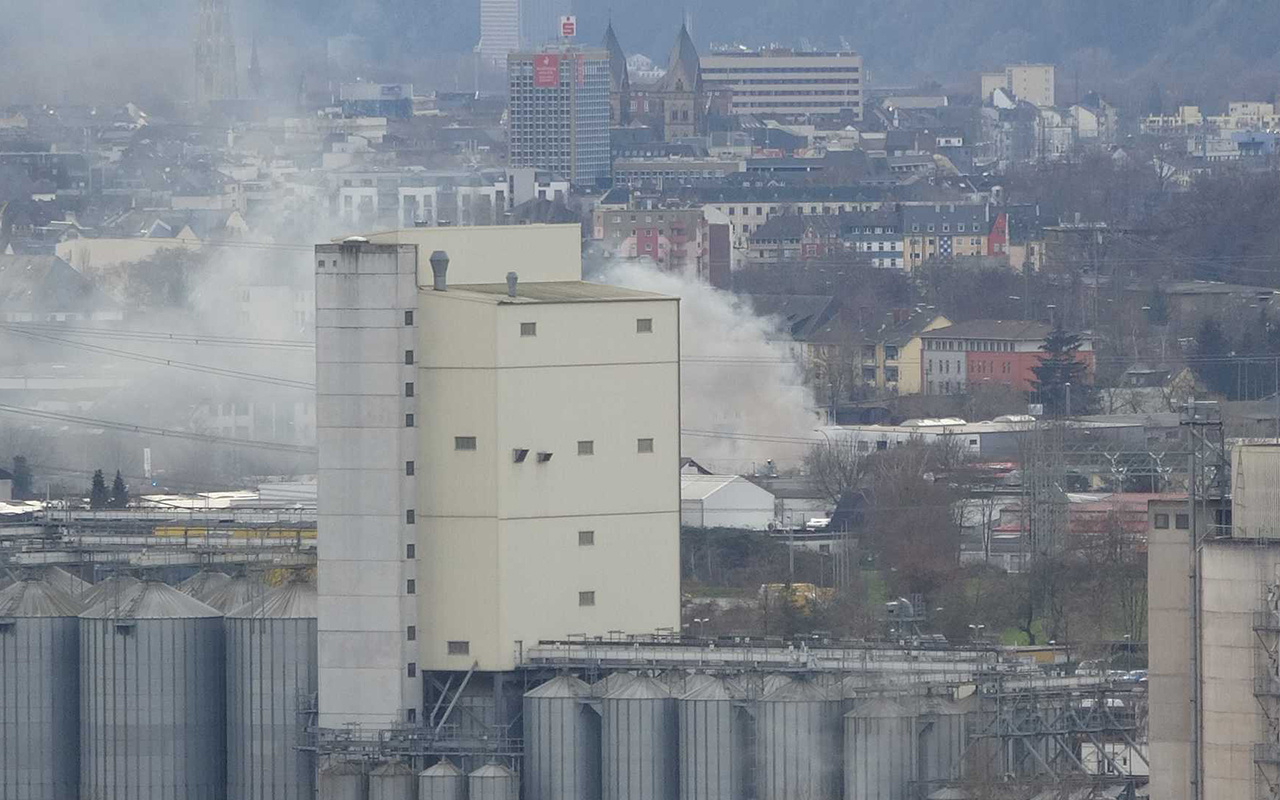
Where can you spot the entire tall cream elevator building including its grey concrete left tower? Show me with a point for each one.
(499, 459)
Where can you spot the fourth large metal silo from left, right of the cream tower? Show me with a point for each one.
(799, 729)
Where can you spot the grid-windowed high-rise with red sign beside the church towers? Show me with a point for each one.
(559, 113)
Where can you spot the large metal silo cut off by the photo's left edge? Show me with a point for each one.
(39, 693)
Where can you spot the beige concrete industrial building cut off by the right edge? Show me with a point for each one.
(1215, 676)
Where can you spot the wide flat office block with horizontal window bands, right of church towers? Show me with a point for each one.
(789, 83)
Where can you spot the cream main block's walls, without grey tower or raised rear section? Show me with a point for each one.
(502, 559)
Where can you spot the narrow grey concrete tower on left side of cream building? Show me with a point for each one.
(364, 493)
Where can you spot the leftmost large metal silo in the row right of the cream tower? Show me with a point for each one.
(563, 742)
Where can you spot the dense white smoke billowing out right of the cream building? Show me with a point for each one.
(743, 394)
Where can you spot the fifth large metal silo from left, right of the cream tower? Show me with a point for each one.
(880, 752)
